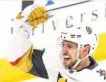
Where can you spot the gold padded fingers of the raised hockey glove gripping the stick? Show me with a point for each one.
(37, 16)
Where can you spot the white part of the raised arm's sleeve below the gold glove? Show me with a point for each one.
(19, 41)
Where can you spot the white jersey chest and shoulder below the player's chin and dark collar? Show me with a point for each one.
(97, 73)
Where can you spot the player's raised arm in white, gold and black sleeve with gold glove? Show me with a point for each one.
(20, 52)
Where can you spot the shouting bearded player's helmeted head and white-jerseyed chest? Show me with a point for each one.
(75, 47)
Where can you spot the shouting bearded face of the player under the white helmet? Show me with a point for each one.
(69, 52)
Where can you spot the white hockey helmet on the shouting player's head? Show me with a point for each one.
(80, 36)
